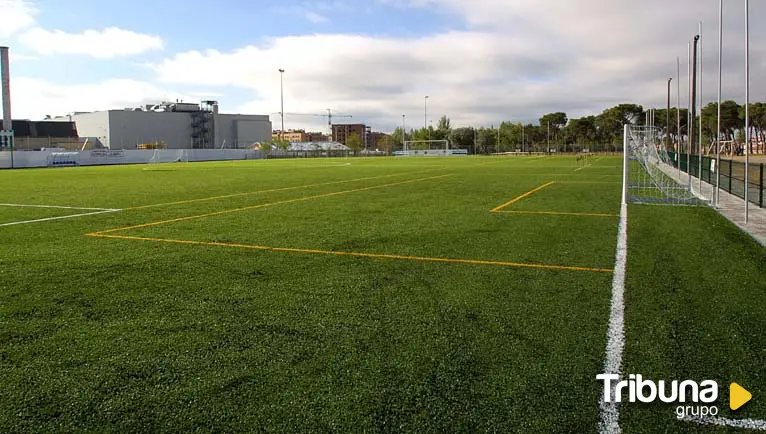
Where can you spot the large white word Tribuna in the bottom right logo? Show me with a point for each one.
(649, 391)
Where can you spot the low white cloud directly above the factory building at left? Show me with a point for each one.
(35, 98)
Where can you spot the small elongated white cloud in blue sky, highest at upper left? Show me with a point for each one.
(108, 43)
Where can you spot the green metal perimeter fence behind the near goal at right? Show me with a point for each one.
(732, 176)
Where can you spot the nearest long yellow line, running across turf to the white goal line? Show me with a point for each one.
(361, 255)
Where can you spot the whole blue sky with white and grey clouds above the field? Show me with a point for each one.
(480, 61)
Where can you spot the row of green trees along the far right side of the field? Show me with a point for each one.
(602, 132)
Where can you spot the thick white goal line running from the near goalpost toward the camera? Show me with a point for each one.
(610, 411)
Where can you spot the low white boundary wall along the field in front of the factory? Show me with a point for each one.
(101, 157)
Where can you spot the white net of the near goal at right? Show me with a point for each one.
(649, 174)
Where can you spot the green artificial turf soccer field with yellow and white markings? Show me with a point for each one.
(360, 295)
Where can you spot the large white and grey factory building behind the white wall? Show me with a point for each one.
(172, 125)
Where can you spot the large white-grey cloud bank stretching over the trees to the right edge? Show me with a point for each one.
(520, 60)
